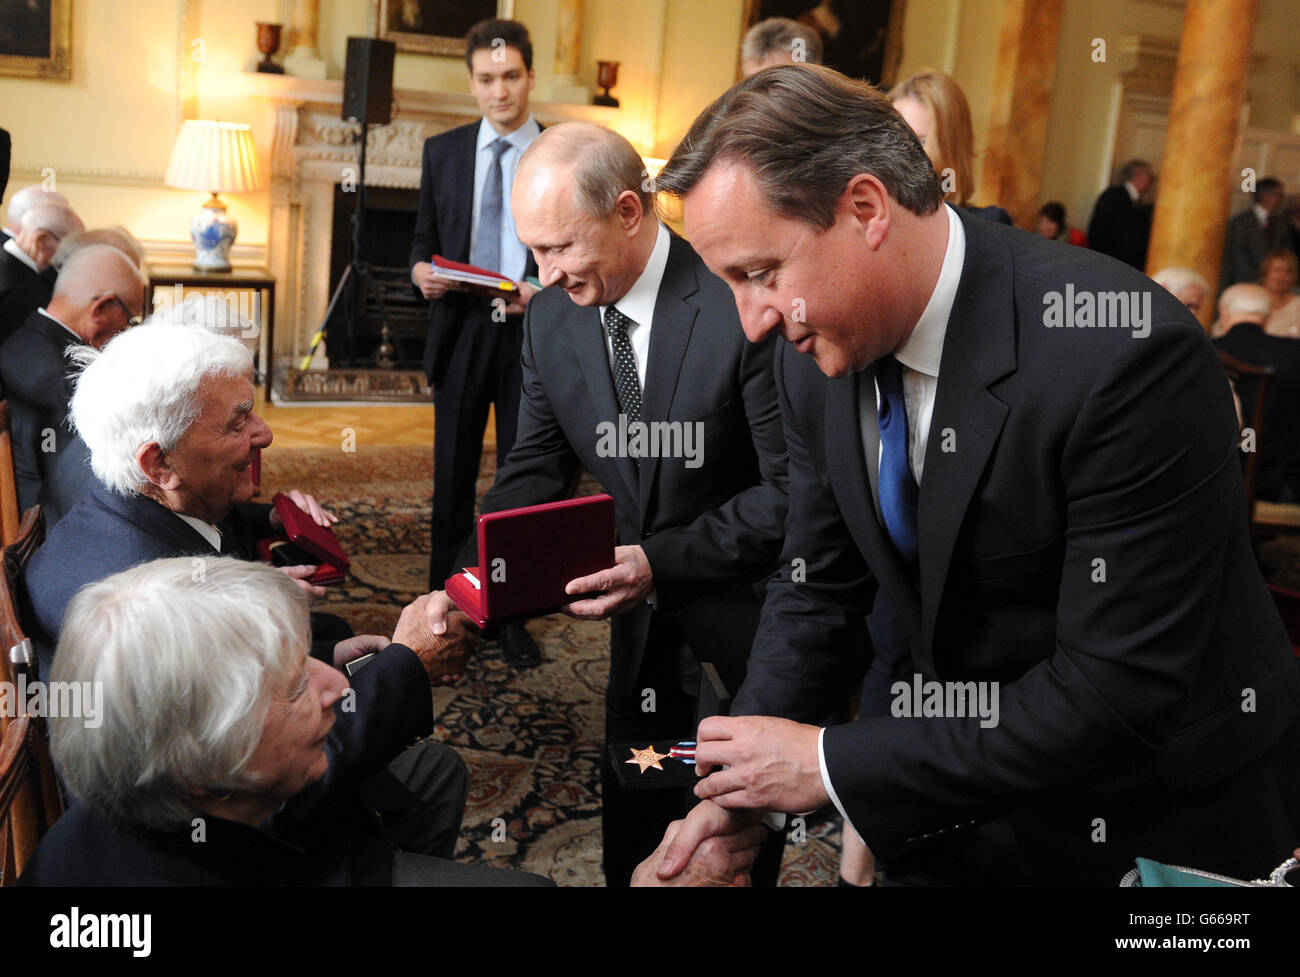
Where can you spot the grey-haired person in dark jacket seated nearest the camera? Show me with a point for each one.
(255, 780)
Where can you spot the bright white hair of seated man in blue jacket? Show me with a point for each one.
(144, 388)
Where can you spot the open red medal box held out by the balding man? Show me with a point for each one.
(526, 558)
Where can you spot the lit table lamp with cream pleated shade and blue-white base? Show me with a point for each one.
(219, 158)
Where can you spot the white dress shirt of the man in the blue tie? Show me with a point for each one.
(920, 357)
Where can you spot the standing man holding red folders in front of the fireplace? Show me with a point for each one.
(471, 355)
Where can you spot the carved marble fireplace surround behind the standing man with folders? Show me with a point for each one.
(313, 151)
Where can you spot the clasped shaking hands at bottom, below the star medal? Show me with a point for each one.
(712, 848)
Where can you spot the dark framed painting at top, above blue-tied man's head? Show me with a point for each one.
(860, 38)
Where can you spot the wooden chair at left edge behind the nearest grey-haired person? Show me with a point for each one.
(29, 791)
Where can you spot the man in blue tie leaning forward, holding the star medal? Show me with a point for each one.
(1055, 510)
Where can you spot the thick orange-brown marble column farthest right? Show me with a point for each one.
(1198, 173)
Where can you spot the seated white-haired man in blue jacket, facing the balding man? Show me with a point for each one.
(168, 418)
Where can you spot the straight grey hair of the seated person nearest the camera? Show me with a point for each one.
(189, 653)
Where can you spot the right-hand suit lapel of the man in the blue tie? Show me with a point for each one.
(980, 349)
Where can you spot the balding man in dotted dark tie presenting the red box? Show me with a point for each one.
(699, 528)
